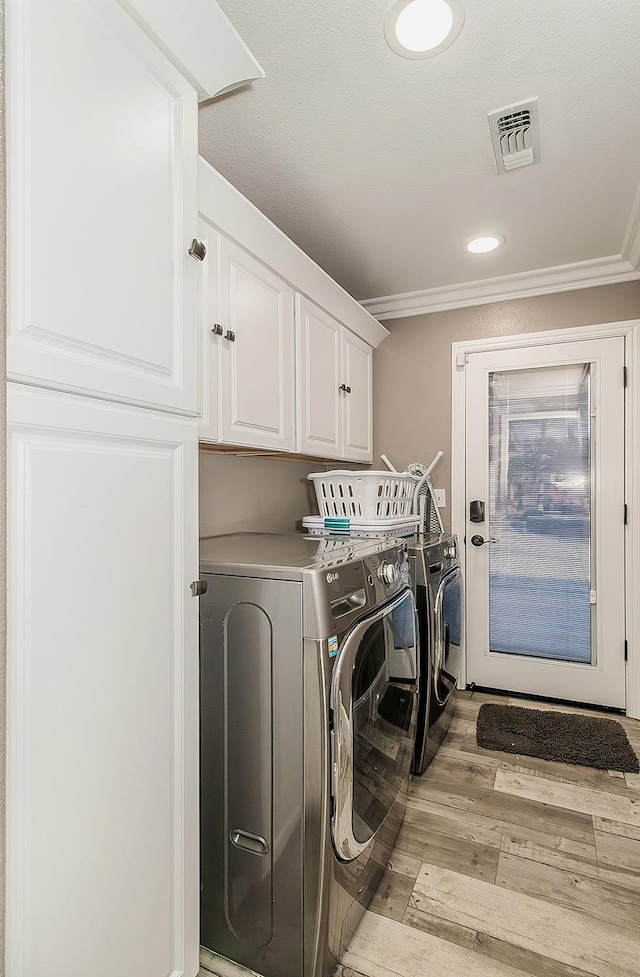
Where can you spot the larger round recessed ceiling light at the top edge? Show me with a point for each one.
(423, 28)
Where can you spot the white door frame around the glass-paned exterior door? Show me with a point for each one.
(631, 331)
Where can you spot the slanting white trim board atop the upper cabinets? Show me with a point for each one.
(224, 207)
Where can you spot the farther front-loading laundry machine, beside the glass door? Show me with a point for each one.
(438, 589)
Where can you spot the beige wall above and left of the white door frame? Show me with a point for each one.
(412, 368)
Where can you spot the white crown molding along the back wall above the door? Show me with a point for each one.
(542, 281)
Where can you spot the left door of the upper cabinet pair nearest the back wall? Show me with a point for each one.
(319, 353)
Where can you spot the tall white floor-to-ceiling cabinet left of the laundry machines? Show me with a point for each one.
(102, 756)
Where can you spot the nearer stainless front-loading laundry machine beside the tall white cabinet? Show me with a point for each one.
(306, 741)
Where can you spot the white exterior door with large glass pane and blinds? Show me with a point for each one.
(545, 520)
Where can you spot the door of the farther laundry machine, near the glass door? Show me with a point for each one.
(447, 645)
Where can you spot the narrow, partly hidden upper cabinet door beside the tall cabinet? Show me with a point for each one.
(210, 336)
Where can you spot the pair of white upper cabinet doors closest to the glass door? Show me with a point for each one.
(334, 387)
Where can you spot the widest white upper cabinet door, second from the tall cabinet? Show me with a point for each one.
(258, 359)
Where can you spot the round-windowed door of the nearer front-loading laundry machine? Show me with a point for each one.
(373, 724)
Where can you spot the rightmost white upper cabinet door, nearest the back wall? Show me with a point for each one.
(358, 434)
